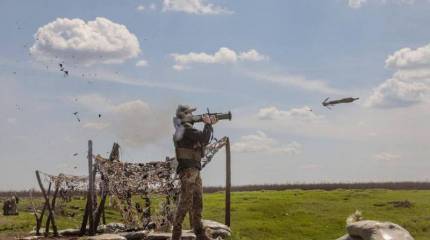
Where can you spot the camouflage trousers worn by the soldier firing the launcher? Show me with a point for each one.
(190, 200)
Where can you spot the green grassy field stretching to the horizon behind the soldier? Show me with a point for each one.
(291, 214)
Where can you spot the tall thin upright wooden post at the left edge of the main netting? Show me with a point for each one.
(90, 205)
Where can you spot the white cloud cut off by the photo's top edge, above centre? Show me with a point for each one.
(199, 7)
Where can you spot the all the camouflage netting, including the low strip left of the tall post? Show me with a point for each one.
(122, 180)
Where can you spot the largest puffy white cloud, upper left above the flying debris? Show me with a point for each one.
(77, 41)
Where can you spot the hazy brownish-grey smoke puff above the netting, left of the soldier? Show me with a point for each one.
(135, 122)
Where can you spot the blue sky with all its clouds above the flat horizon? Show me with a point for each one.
(270, 62)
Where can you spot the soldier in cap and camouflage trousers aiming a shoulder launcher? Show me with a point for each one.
(189, 144)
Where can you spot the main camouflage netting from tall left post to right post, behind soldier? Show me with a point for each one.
(150, 180)
